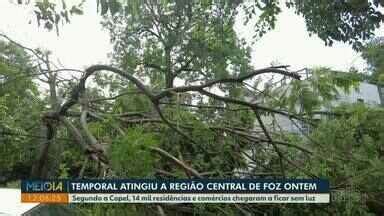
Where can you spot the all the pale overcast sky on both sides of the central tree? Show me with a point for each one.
(83, 42)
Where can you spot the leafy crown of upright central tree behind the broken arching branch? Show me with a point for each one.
(184, 39)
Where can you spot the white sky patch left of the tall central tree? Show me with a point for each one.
(81, 43)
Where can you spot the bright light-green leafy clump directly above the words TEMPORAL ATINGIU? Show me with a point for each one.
(131, 155)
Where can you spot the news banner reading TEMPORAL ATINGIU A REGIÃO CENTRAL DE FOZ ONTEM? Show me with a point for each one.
(176, 191)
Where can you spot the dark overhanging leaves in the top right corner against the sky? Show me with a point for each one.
(351, 21)
